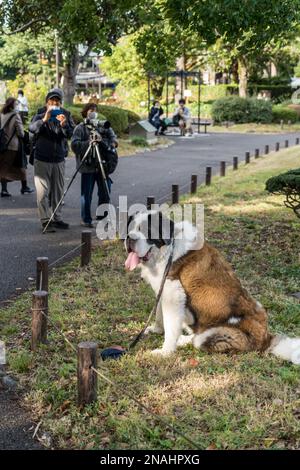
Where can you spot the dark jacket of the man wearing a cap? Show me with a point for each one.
(51, 143)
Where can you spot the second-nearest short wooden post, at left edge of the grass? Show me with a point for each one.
(39, 319)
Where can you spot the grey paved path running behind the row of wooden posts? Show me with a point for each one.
(139, 176)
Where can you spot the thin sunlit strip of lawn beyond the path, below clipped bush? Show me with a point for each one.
(257, 128)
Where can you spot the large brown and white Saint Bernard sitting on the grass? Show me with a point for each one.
(201, 296)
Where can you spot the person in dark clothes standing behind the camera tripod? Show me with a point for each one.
(91, 129)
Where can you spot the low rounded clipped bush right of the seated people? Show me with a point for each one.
(241, 110)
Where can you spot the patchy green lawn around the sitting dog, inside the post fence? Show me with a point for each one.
(249, 401)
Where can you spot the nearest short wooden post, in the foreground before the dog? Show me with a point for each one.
(86, 377)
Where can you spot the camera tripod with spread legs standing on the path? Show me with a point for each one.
(93, 150)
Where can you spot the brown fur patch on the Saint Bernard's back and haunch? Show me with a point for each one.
(214, 295)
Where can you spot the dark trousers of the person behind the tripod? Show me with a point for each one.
(88, 181)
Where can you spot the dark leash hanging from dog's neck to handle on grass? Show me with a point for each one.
(116, 351)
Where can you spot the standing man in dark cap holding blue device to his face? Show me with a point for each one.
(52, 126)
